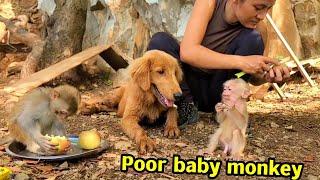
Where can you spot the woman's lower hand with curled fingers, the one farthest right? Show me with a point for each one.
(278, 73)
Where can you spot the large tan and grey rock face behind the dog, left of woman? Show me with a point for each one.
(128, 25)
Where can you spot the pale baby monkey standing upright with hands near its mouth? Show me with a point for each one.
(232, 116)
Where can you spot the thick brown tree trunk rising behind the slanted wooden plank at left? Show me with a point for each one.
(65, 30)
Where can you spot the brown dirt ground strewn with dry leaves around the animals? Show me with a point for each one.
(288, 131)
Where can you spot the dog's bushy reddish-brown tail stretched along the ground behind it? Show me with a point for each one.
(108, 102)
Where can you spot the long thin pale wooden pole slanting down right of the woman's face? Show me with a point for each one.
(295, 58)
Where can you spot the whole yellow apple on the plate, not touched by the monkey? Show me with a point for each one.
(89, 139)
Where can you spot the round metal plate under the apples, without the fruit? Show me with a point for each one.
(18, 150)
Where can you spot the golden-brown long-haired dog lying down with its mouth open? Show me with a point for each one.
(152, 89)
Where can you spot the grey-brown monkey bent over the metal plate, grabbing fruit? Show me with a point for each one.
(42, 112)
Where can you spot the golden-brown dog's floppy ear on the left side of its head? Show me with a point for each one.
(140, 72)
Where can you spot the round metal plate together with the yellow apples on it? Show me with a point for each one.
(87, 143)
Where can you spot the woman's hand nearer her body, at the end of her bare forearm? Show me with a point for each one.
(256, 64)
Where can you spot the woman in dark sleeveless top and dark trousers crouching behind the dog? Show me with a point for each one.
(220, 40)
